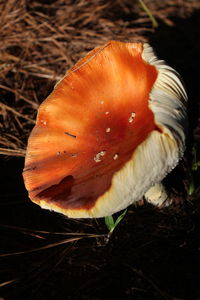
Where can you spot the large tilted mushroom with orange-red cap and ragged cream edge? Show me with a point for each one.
(108, 134)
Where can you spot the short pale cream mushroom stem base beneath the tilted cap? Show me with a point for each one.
(157, 195)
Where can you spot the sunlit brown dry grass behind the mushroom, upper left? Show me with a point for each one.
(40, 41)
